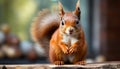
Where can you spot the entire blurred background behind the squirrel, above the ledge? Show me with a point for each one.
(100, 20)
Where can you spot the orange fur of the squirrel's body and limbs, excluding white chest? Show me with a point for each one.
(59, 50)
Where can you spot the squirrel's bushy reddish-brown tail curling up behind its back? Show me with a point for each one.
(44, 26)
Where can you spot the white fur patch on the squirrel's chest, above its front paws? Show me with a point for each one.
(69, 40)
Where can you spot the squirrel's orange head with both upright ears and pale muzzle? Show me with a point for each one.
(70, 21)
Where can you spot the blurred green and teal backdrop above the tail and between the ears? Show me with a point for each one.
(18, 14)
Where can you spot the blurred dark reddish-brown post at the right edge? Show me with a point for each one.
(110, 29)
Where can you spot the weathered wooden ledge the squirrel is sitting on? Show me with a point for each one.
(108, 65)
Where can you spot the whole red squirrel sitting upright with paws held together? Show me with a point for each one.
(63, 34)
